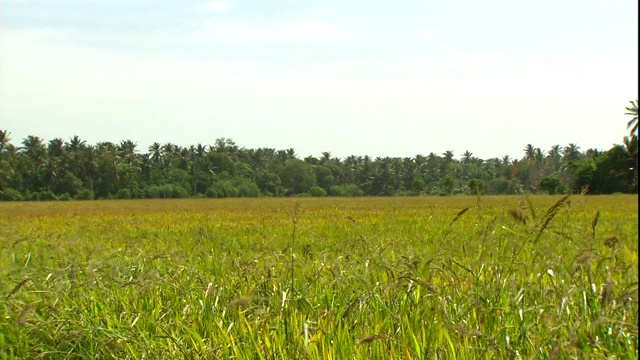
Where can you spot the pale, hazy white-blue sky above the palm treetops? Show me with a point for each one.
(350, 77)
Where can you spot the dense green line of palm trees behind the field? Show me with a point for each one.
(73, 169)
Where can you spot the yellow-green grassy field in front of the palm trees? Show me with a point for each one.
(369, 278)
